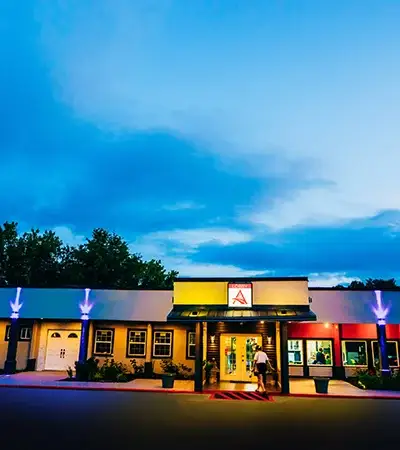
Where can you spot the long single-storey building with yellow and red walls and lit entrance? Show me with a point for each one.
(213, 319)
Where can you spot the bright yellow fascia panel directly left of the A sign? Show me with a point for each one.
(200, 293)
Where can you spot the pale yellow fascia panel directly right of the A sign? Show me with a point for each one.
(280, 292)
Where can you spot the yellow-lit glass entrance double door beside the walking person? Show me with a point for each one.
(237, 355)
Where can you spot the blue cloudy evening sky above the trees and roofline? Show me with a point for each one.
(224, 137)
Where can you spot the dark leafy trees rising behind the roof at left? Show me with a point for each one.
(104, 261)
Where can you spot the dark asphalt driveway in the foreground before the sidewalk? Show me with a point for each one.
(60, 419)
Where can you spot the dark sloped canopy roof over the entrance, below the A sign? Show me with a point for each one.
(223, 313)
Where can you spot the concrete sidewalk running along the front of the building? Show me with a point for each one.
(300, 387)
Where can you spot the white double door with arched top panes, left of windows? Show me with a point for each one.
(62, 349)
